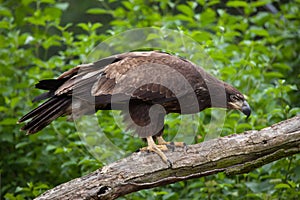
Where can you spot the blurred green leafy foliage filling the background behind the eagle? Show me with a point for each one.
(254, 49)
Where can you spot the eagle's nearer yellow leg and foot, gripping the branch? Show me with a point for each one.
(157, 149)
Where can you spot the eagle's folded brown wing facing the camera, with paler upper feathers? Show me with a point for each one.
(148, 76)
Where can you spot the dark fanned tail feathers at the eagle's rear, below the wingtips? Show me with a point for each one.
(45, 114)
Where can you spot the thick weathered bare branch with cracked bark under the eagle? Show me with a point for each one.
(234, 154)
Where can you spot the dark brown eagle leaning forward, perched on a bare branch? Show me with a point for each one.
(144, 85)
